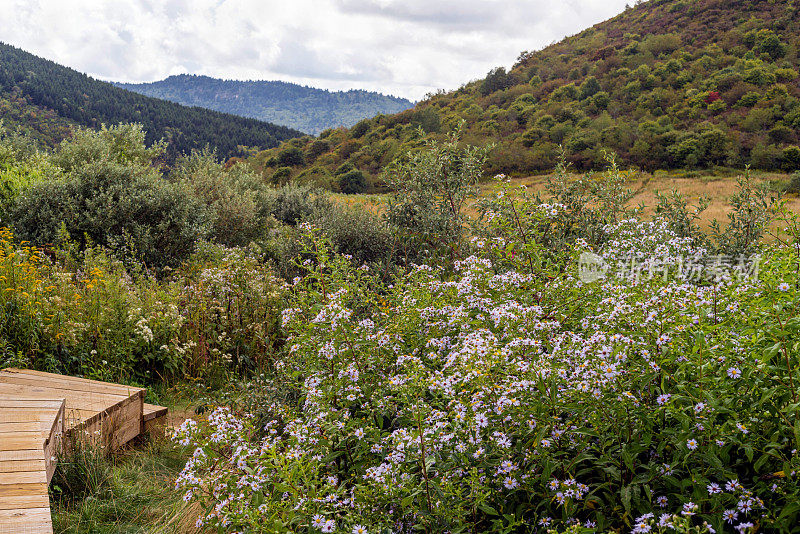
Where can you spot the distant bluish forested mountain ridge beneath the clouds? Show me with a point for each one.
(307, 109)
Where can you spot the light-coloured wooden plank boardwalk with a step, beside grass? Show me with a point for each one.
(41, 416)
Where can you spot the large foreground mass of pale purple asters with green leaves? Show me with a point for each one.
(511, 396)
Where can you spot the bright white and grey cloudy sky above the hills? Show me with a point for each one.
(402, 47)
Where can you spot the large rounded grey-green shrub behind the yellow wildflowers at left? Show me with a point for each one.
(117, 206)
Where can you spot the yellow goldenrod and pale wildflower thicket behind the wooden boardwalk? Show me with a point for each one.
(90, 315)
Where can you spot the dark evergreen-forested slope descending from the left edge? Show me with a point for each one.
(47, 98)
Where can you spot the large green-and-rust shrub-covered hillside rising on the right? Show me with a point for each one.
(665, 84)
